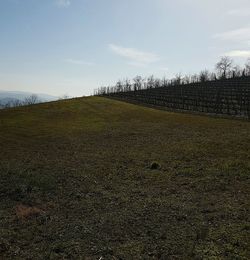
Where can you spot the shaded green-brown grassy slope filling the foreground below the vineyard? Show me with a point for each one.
(75, 181)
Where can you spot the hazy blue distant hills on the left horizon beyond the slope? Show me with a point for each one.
(12, 96)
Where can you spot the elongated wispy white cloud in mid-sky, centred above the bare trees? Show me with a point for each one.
(135, 57)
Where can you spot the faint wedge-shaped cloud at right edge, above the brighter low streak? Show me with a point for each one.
(241, 34)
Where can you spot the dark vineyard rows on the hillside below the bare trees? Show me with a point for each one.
(221, 97)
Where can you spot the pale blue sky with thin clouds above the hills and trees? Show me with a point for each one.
(71, 47)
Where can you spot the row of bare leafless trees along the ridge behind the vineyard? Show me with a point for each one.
(225, 68)
